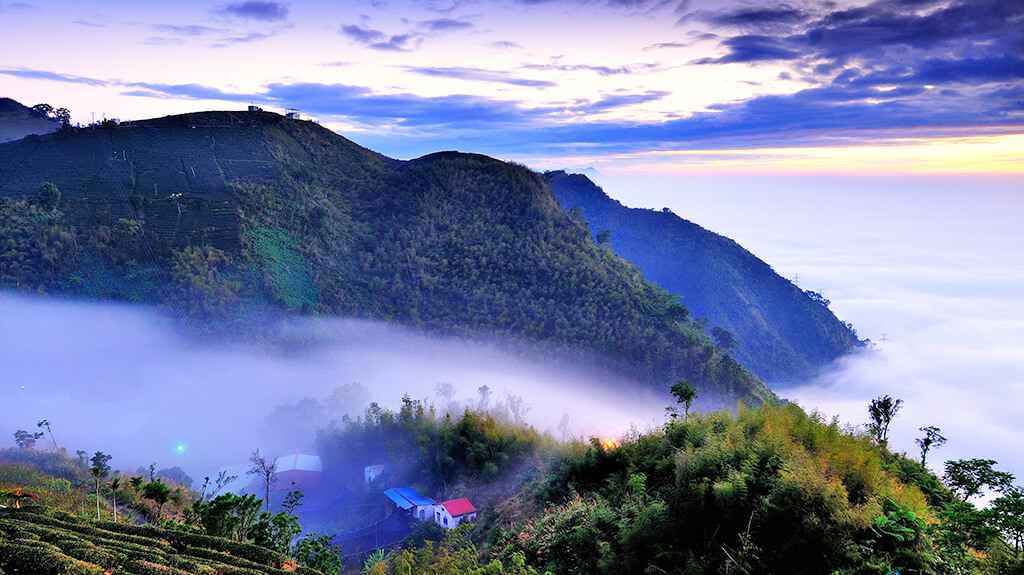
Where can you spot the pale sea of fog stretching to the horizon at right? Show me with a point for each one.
(930, 269)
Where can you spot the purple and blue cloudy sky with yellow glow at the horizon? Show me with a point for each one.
(647, 85)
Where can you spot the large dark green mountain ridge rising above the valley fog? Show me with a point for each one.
(218, 214)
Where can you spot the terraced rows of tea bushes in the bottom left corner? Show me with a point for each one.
(38, 543)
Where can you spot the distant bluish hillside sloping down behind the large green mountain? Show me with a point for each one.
(783, 333)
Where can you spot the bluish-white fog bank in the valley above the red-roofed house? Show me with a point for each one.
(132, 383)
